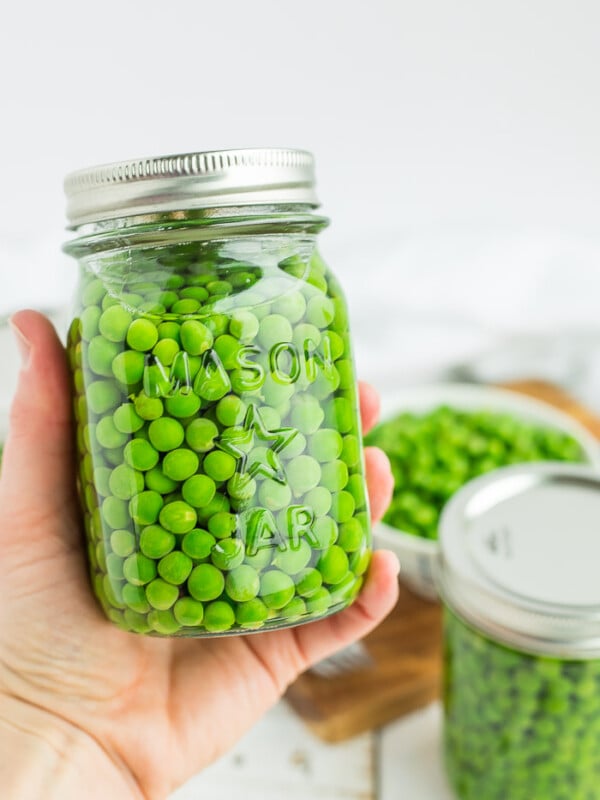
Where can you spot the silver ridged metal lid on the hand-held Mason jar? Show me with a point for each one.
(189, 181)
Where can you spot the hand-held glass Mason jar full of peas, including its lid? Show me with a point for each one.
(221, 467)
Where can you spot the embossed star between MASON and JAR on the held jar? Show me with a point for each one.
(239, 441)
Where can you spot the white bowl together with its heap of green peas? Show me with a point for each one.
(438, 437)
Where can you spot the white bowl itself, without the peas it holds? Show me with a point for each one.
(418, 556)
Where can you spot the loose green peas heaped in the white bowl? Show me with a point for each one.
(434, 454)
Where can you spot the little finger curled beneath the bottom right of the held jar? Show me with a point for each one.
(379, 595)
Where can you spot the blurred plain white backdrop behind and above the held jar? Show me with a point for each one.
(456, 144)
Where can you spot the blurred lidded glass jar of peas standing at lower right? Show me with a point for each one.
(519, 581)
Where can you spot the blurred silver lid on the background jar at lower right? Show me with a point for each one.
(520, 558)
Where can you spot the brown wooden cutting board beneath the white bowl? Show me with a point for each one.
(405, 650)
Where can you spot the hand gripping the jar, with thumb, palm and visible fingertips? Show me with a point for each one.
(142, 715)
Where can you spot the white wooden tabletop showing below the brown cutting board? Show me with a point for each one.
(281, 758)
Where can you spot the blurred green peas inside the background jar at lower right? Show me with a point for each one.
(519, 726)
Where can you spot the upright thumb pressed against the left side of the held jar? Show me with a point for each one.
(37, 465)
